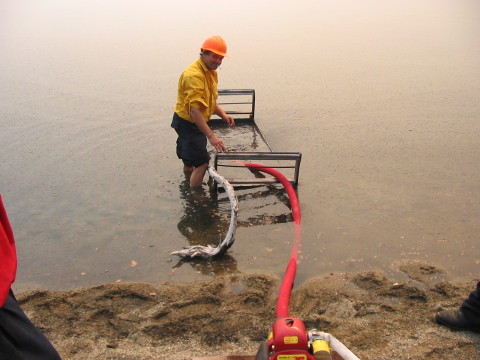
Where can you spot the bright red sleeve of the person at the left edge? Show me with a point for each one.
(8, 255)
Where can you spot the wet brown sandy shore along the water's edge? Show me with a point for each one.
(375, 317)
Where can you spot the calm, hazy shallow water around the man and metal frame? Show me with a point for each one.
(380, 97)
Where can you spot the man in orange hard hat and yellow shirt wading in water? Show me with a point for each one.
(196, 102)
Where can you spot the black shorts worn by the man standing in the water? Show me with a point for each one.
(191, 143)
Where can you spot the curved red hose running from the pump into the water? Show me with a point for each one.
(289, 277)
